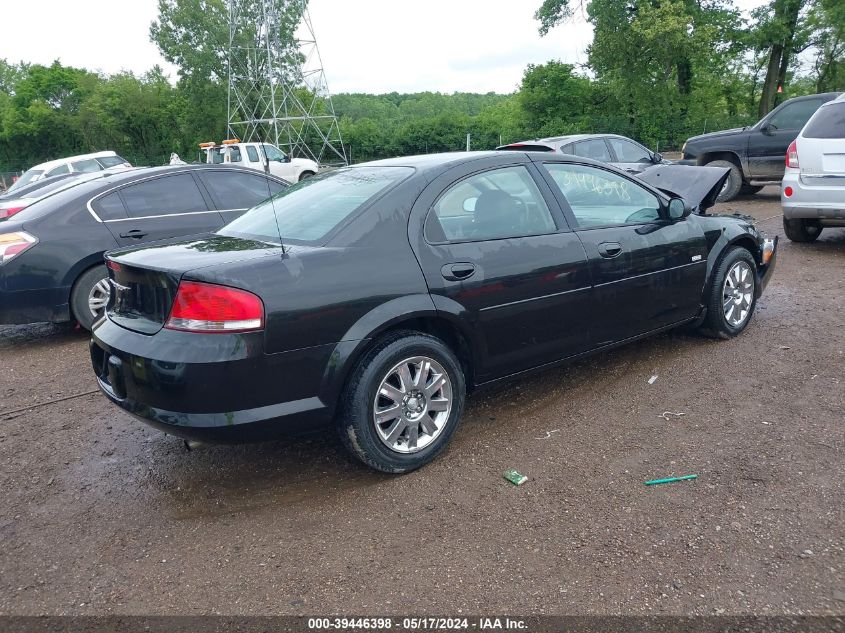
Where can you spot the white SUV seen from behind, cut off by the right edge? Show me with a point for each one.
(813, 188)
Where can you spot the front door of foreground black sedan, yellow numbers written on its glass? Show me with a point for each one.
(647, 273)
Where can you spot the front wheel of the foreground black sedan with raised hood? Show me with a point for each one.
(733, 294)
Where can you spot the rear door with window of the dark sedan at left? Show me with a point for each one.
(158, 208)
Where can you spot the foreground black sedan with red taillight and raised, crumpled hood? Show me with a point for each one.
(374, 297)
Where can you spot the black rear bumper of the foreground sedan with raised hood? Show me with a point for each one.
(210, 387)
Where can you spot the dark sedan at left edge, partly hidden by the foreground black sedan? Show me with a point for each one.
(51, 253)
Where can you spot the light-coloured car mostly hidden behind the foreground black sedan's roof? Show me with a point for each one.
(619, 151)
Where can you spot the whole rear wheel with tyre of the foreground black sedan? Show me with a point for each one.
(403, 402)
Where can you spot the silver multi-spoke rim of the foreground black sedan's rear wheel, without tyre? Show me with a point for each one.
(412, 404)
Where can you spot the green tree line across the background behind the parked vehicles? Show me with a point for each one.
(657, 70)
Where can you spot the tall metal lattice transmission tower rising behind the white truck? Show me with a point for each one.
(278, 91)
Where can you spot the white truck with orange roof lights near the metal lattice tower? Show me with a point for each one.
(260, 156)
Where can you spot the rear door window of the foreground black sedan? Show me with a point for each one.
(496, 204)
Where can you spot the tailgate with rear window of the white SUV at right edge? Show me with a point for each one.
(821, 147)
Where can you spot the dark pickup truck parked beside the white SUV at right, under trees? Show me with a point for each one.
(755, 155)
